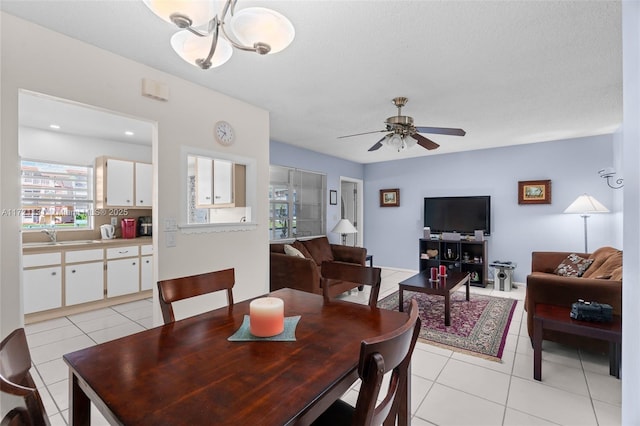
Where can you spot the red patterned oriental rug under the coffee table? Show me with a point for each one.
(478, 327)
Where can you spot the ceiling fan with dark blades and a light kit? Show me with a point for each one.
(403, 134)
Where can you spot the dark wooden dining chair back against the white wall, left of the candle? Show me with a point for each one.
(194, 285)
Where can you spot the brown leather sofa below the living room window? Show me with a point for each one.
(303, 273)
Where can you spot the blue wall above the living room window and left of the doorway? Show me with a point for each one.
(281, 154)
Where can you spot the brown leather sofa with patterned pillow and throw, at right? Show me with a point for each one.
(601, 282)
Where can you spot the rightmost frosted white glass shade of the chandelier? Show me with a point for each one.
(258, 24)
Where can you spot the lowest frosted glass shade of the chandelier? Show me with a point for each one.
(191, 47)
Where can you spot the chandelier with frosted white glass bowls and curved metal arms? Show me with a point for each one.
(204, 39)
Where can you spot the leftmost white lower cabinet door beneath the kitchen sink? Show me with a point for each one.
(42, 289)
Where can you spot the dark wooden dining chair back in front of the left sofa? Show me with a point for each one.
(338, 277)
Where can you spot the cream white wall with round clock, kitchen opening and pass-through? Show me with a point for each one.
(43, 61)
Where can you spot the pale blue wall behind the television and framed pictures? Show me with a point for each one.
(391, 234)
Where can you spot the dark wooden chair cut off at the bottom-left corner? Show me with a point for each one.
(15, 379)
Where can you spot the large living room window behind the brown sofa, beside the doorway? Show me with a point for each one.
(296, 203)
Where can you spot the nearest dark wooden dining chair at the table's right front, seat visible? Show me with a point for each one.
(390, 352)
